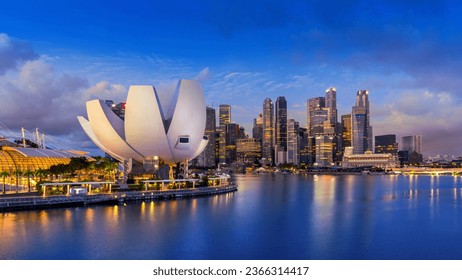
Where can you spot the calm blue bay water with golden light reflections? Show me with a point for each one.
(270, 217)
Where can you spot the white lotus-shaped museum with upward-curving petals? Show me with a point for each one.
(172, 131)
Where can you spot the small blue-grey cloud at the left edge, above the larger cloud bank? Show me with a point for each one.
(13, 52)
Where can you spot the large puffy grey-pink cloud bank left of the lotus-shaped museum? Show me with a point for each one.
(35, 95)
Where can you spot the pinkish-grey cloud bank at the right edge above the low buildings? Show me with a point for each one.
(436, 116)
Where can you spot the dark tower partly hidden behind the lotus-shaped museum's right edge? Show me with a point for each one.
(207, 157)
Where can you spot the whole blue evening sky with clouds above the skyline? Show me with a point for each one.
(56, 55)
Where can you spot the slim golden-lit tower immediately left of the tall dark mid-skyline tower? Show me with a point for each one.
(268, 130)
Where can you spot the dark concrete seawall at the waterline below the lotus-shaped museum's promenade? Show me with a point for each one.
(39, 202)
